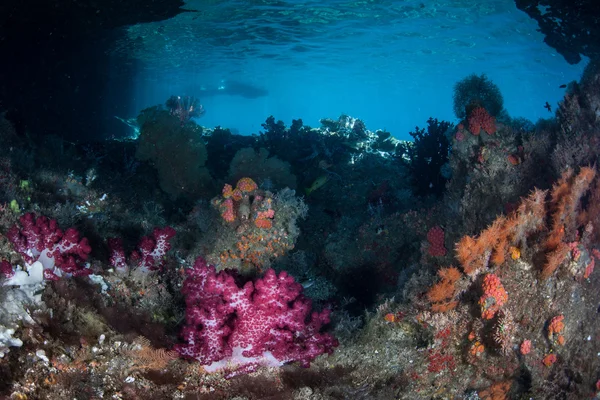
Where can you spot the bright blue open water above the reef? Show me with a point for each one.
(391, 63)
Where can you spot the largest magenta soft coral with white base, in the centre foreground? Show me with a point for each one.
(263, 323)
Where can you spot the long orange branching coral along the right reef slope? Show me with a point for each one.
(568, 218)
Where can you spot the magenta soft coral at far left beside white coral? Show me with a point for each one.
(40, 239)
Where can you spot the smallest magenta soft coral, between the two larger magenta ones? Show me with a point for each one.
(150, 254)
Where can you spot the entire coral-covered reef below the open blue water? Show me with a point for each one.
(172, 282)
